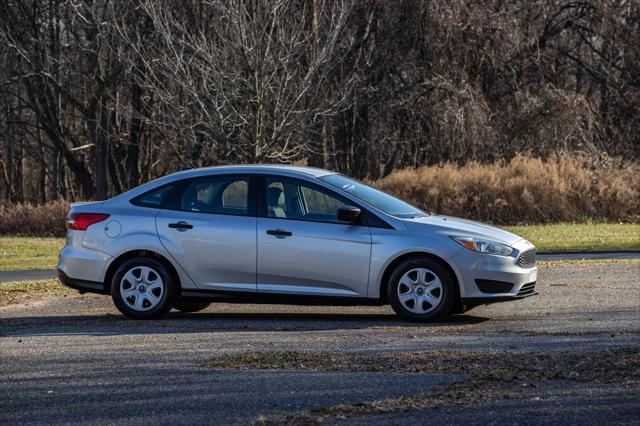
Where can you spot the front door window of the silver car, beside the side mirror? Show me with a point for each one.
(288, 199)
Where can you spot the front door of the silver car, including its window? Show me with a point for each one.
(303, 248)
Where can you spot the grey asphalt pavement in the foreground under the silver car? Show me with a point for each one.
(75, 359)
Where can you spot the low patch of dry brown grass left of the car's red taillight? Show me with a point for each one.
(47, 220)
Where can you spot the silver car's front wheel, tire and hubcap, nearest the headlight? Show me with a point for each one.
(421, 290)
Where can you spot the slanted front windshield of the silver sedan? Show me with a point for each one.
(373, 197)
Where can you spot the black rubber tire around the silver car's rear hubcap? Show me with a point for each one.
(167, 298)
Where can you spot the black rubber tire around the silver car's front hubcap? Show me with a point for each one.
(448, 296)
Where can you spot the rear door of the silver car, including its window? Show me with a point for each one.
(209, 227)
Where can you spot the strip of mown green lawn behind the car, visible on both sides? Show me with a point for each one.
(36, 253)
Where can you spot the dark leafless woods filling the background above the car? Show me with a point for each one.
(99, 96)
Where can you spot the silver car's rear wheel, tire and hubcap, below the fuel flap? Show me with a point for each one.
(142, 288)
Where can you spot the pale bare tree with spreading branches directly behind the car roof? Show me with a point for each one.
(239, 80)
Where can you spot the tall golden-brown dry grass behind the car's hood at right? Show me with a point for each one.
(524, 190)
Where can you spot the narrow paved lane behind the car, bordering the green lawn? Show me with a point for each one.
(42, 274)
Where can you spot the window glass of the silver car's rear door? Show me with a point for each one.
(221, 195)
